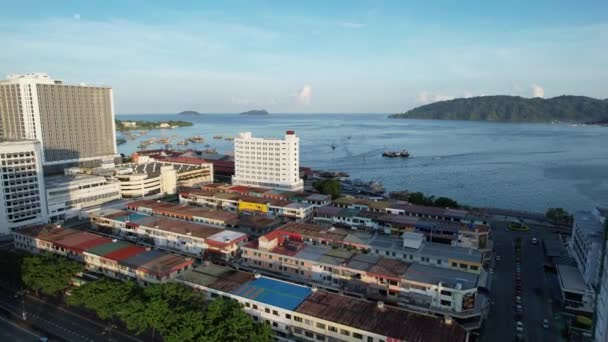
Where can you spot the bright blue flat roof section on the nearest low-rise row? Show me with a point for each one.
(274, 292)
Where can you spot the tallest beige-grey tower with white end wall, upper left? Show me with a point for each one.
(74, 123)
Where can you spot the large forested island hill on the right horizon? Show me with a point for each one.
(502, 108)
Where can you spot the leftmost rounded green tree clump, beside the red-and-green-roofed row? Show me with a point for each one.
(49, 274)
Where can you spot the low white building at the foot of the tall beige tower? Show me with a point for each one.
(66, 195)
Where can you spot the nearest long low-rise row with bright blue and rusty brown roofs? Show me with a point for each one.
(299, 313)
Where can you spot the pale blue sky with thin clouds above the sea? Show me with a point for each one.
(309, 56)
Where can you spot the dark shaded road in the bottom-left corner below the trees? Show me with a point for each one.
(60, 322)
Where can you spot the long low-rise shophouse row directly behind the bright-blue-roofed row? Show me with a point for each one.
(425, 288)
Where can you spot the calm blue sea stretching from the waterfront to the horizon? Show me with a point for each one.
(518, 166)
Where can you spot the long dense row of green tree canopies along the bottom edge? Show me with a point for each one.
(175, 311)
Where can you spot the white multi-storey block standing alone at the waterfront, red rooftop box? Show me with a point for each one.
(268, 163)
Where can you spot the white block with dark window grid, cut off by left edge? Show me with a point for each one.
(22, 194)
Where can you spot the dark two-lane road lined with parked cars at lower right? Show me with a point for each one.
(500, 325)
